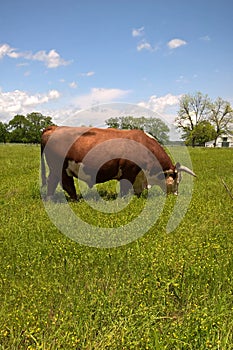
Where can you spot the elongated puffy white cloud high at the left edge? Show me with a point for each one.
(52, 59)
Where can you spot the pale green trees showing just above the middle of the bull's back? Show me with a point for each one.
(155, 126)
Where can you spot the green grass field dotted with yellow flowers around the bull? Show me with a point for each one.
(162, 291)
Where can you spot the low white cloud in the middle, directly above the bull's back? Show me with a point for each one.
(100, 95)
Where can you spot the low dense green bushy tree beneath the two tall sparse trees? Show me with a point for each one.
(202, 133)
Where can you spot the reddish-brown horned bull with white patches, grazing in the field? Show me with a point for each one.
(98, 155)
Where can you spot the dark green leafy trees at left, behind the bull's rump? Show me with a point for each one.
(24, 129)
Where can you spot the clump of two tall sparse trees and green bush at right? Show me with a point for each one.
(200, 119)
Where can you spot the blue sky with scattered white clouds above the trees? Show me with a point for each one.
(60, 57)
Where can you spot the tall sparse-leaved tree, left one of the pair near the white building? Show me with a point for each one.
(193, 110)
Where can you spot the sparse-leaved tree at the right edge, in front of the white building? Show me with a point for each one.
(221, 117)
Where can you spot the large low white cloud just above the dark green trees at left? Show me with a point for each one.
(20, 102)
